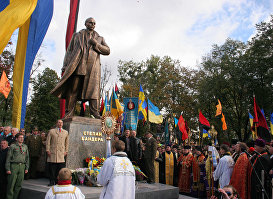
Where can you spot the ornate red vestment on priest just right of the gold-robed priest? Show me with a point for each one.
(184, 180)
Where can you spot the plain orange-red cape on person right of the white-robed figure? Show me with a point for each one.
(239, 176)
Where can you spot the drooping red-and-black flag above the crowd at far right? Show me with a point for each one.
(260, 122)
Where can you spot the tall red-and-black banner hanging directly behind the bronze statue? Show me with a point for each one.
(71, 28)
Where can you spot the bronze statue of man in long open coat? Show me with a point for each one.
(82, 70)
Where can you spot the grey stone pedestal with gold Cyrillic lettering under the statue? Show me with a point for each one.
(85, 140)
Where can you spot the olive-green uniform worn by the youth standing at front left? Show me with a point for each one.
(17, 162)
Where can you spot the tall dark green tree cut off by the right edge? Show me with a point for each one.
(259, 57)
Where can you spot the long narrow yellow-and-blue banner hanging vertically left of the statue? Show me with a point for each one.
(31, 35)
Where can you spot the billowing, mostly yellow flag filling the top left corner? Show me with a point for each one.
(13, 14)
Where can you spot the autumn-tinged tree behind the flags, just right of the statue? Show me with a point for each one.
(170, 86)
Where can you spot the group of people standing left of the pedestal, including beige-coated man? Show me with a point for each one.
(30, 156)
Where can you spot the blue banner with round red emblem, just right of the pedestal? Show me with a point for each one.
(131, 112)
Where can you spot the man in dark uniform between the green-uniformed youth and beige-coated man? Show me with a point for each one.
(34, 143)
